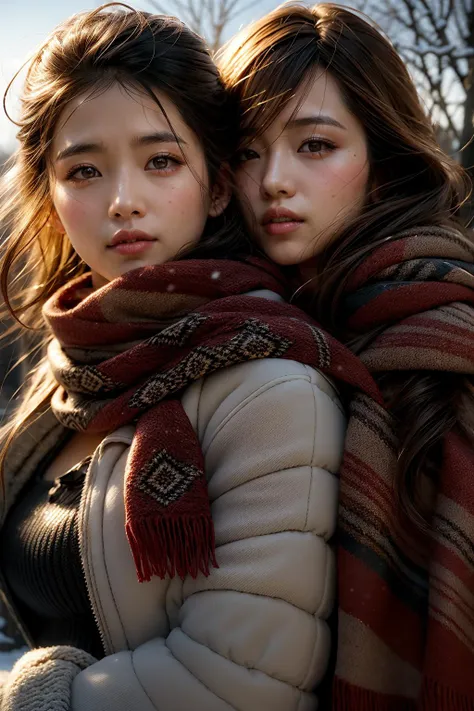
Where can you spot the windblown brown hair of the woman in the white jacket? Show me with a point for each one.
(88, 53)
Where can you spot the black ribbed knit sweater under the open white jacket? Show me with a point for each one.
(41, 562)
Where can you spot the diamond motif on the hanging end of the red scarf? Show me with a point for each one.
(166, 479)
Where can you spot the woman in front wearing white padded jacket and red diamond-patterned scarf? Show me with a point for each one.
(169, 476)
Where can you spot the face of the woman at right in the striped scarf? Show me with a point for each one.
(301, 180)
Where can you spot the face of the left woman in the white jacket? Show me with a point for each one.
(125, 190)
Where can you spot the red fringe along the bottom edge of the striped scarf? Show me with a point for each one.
(434, 697)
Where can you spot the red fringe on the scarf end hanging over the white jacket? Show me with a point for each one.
(167, 545)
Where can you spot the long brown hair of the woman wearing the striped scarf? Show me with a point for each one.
(412, 182)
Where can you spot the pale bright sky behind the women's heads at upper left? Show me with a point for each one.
(24, 24)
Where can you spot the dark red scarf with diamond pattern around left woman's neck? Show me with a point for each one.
(125, 352)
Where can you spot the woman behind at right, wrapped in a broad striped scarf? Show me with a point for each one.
(343, 184)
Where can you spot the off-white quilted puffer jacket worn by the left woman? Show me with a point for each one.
(252, 636)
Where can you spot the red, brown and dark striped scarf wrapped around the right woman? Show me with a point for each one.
(406, 600)
